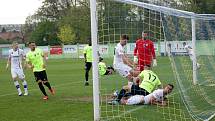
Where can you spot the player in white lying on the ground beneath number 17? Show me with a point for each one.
(157, 97)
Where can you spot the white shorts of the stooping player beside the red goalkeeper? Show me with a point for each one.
(122, 69)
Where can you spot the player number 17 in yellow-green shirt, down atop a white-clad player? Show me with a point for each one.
(147, 82)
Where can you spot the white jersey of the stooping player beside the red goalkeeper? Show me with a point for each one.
(118, 52)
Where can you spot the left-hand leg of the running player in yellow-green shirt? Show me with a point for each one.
(40, 84)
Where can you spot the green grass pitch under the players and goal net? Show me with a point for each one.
(73, 101)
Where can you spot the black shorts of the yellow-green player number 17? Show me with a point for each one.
(136, 90)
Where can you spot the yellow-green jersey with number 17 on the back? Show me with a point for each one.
(150, 80)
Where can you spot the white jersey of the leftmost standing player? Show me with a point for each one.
(16, 58)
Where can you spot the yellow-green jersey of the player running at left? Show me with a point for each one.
(36, 59)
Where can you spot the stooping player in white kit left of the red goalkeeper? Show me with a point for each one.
(123, 65)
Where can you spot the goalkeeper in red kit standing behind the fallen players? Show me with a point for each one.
(144, 52)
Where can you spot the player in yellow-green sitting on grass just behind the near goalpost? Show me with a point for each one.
(103, 70)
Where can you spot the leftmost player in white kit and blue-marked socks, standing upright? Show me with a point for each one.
(16, 55)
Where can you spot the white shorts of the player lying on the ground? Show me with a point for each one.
(136, 99)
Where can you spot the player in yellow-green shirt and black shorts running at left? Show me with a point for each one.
(36, 61)
